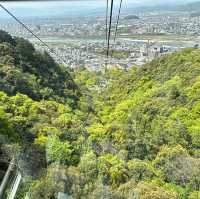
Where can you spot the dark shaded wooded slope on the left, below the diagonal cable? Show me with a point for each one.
(27, 71)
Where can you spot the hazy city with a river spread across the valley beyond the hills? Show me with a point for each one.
(81, 41)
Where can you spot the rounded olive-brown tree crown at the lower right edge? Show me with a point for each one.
(176, 164)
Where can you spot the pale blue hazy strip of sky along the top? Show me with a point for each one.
(73, 7)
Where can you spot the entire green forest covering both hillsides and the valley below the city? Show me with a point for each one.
(130, 135)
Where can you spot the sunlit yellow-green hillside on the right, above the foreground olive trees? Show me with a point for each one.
(162, 98)
